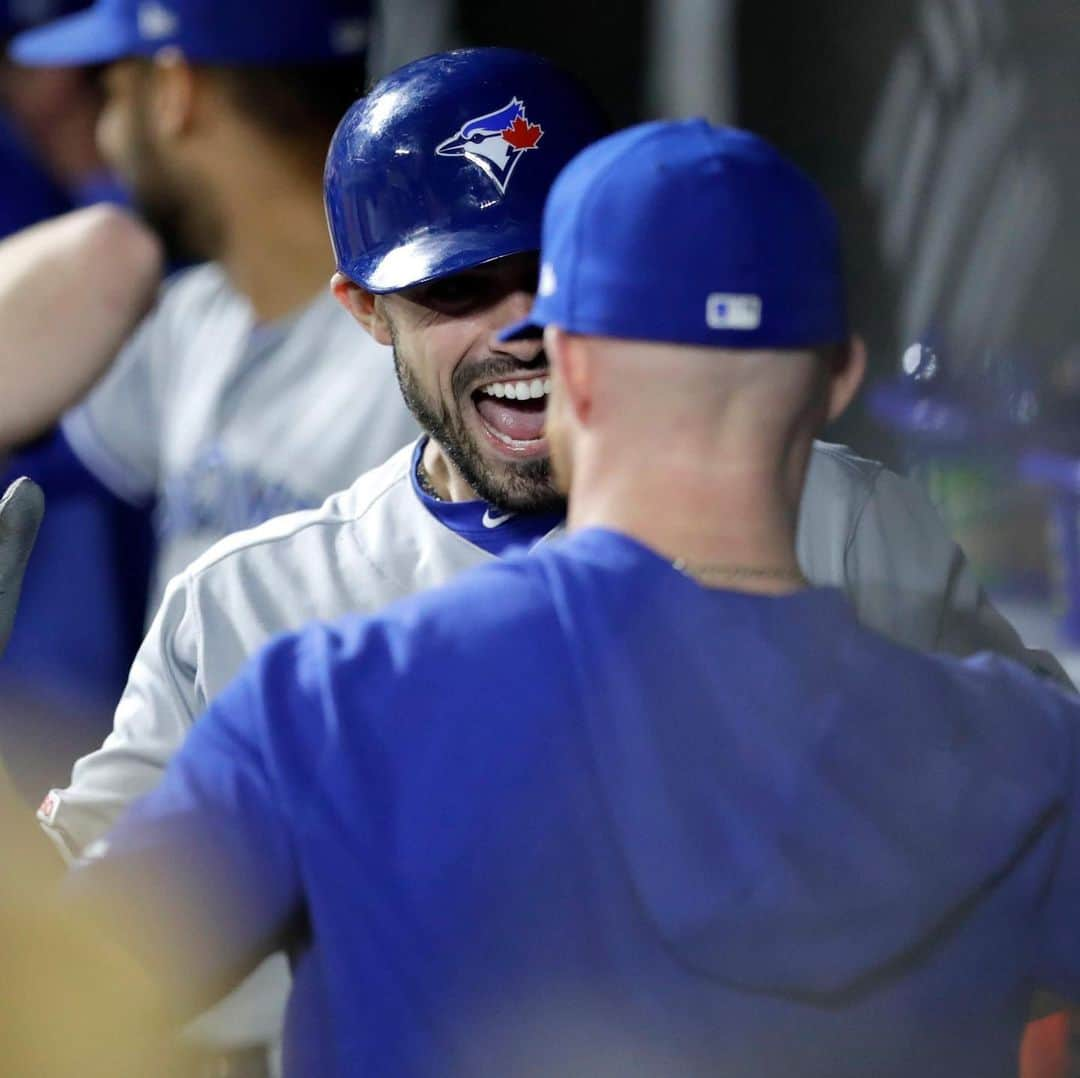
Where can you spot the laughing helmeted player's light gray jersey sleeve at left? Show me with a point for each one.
(156, 713)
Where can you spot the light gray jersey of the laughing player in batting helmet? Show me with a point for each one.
(861, 528)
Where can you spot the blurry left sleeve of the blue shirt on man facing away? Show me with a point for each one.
(199, 880)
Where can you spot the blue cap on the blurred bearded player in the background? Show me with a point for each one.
(237, 33)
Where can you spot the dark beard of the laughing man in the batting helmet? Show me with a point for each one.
(523, 488)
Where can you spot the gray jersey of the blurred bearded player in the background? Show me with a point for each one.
(228, 424)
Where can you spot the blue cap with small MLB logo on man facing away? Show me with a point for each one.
(690, 234)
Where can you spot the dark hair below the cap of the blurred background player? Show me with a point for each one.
(301, 103)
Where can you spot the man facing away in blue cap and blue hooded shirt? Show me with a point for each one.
(645, 781)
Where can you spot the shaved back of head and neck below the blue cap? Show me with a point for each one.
(652, 439)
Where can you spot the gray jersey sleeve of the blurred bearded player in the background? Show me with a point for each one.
(116, 432)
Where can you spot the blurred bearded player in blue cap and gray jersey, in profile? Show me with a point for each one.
(247, 394)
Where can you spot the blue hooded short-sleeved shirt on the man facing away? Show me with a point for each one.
(575, 810)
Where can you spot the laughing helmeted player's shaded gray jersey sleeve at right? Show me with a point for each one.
(909, 580)
